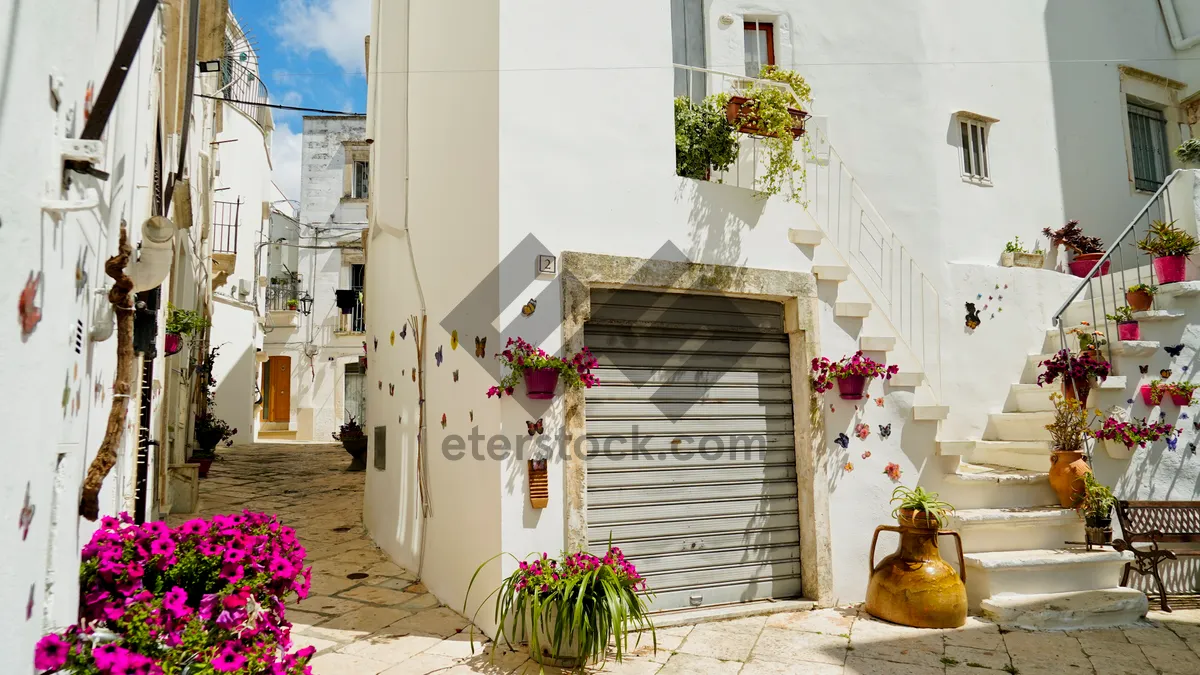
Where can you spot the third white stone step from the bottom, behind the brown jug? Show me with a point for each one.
(1015, 528)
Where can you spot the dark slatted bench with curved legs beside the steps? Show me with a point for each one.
(1156, 524)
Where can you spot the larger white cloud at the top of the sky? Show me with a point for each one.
(334, 27)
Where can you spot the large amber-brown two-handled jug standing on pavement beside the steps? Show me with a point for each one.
(915, 587)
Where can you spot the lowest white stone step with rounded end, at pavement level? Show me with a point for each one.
(1100, 608)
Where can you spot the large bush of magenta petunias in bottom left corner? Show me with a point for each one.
(209, 594)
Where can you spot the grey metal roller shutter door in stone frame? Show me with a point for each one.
(706, 506)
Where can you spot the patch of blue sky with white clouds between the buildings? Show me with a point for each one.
(310, 53)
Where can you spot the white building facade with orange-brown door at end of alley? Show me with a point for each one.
(314, 379)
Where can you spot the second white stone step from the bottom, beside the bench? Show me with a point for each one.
(1041, 571)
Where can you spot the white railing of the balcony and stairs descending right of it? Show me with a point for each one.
(835, 200)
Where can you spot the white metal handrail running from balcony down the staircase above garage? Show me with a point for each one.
(886, 286)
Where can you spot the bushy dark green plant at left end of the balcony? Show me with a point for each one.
(706, 140)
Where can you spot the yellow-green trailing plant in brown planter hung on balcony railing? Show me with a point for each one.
(769, 111)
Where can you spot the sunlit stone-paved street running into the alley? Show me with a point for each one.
(386, 623)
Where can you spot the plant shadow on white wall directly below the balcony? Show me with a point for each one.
(719, 214)
